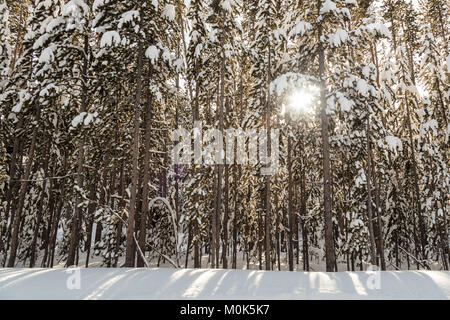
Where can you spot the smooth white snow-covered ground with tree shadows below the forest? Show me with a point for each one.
(166, 283)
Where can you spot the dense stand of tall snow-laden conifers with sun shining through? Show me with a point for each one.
(92, 91)
